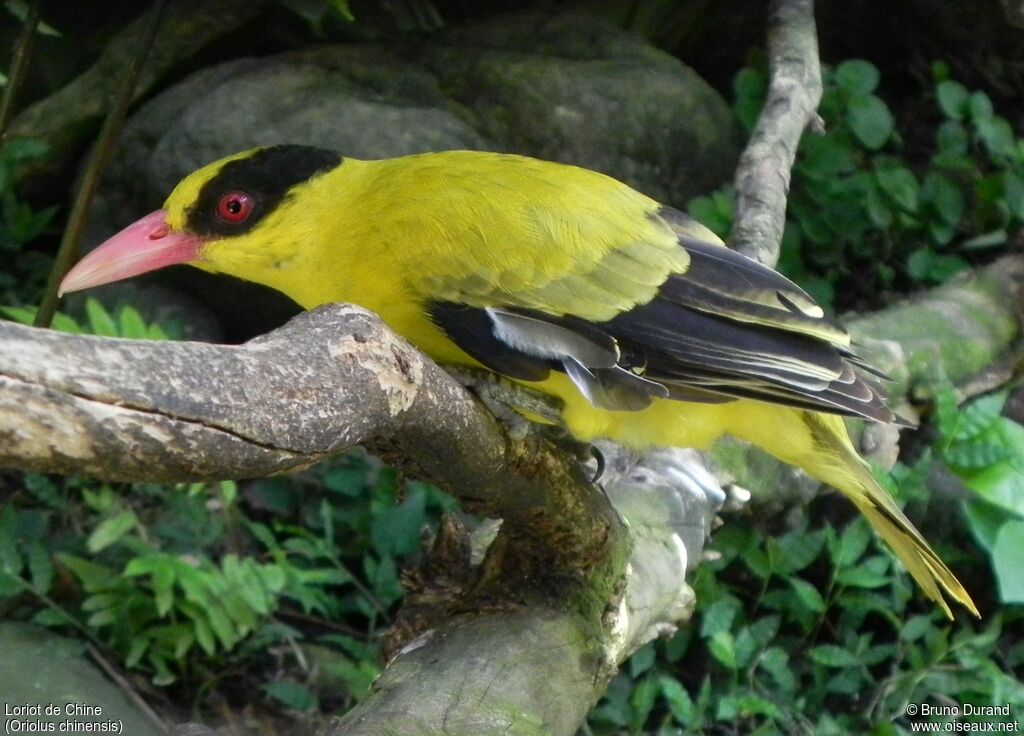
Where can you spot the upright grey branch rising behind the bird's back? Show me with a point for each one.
(763, 175)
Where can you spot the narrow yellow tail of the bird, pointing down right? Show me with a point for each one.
(839, 465)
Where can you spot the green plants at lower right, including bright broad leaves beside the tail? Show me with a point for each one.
(817, 631)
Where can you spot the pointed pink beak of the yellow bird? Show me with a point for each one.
(144, 246)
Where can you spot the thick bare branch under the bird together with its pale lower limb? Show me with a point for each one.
(565, 570)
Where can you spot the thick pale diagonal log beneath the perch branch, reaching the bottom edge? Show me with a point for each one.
(540, 671)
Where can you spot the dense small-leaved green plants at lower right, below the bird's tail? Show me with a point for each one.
(812, 632)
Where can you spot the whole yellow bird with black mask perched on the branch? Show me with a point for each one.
(650, 331)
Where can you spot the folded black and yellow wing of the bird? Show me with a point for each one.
(699, 323)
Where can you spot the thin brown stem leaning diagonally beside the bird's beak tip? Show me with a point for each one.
(68, 251)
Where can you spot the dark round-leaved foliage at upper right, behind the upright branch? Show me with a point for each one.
(861, 205)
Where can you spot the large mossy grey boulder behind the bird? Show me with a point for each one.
(565, 89)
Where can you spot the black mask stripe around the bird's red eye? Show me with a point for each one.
(267, 178)
